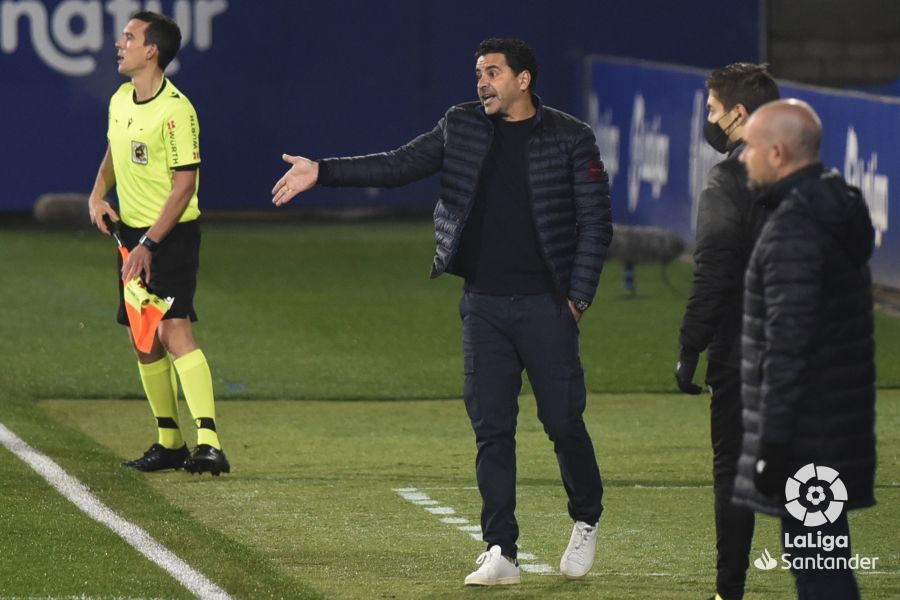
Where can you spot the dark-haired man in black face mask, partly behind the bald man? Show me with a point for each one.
(728, 221)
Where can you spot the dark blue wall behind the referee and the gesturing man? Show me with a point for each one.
(318, 78)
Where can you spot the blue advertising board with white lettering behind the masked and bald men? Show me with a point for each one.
(648, 119)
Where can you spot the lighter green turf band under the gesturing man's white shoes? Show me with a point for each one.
(312, 492)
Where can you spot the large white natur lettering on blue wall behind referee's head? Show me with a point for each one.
(62, 46)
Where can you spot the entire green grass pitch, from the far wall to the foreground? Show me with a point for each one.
(324, 341)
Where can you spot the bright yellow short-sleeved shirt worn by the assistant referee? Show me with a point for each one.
(148, 142)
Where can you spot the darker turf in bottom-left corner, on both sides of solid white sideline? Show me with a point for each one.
(50, 549)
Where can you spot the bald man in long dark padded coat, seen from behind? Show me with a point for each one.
(807, 353)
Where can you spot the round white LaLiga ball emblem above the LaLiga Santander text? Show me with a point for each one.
(808, 491)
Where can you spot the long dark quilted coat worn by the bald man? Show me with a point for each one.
(807, 368)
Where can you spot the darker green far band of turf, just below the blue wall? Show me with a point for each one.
(325, 311)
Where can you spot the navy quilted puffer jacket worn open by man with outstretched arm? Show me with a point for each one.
(569, 188)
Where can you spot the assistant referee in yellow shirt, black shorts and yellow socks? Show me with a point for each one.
(153, 159)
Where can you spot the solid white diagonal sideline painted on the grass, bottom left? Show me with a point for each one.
(79, 495)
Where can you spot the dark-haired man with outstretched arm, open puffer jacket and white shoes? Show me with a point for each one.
(524, 217)
